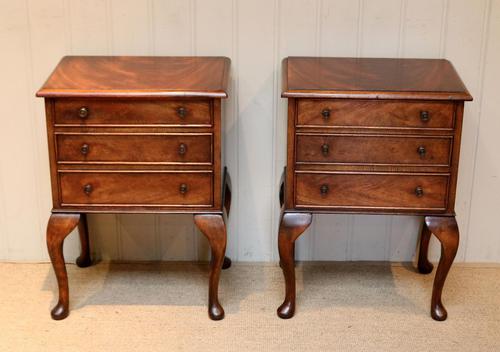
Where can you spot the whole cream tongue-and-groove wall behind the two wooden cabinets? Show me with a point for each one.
(256, 35)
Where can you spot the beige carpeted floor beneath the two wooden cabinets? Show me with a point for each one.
(162, 306)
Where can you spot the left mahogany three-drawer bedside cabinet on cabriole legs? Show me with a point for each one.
(136, 135)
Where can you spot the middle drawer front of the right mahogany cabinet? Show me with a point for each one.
(356, 149)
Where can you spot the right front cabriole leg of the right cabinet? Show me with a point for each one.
(446, 230)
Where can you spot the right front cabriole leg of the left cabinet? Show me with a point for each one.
(214, 228)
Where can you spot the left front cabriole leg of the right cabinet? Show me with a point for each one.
(291, 227)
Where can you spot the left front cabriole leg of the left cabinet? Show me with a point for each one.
(60, 226)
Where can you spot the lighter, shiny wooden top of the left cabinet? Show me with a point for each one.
(138, 76)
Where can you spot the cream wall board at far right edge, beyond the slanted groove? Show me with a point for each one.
(483, 242)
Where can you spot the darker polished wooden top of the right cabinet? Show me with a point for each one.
(371, 78)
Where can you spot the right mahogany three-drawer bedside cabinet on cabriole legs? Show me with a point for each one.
(372, 136)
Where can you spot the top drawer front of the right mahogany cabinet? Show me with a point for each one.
(373, 113)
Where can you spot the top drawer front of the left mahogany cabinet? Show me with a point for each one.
(134, 112)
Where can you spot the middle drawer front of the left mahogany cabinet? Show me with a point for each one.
(138, 148)
